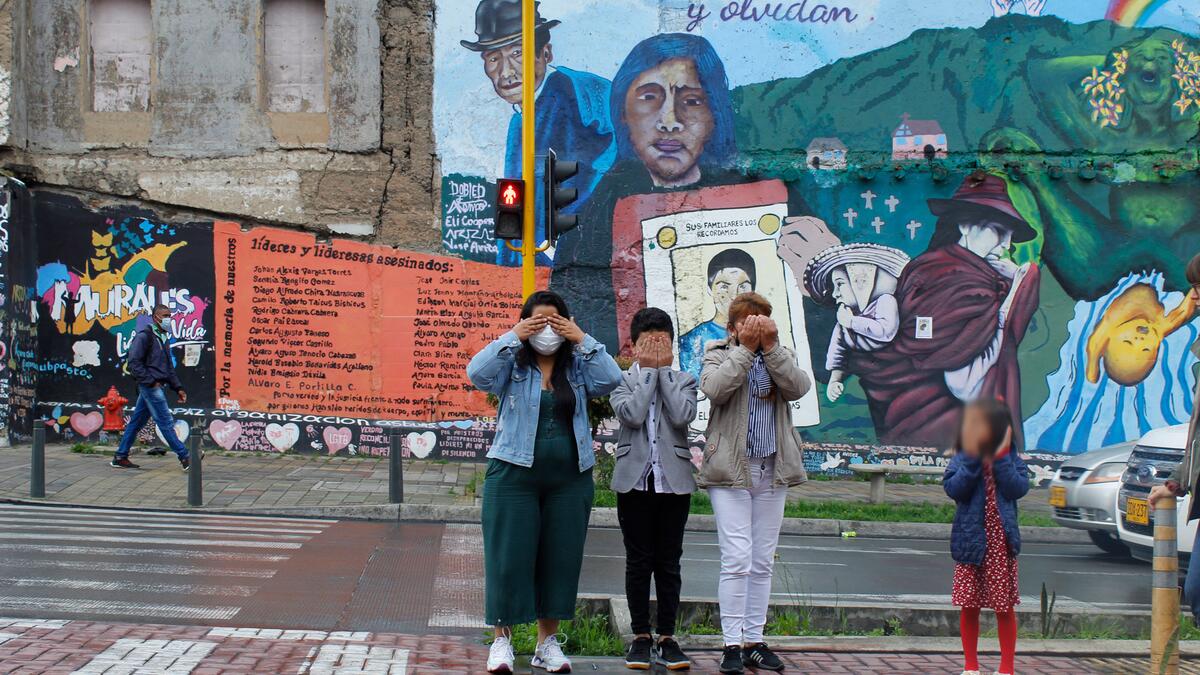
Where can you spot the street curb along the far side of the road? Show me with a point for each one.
(603, 517)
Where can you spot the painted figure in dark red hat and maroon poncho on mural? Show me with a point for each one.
(964, 309)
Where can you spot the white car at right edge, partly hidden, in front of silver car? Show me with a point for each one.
(1156, 456)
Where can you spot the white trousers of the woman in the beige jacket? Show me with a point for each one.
(748, 524)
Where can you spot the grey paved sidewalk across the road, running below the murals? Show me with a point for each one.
(245, 481)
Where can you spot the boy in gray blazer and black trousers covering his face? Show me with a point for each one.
(653, 480)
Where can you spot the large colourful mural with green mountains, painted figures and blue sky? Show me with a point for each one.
(856, 168)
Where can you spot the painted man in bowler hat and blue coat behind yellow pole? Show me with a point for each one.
(572, 107)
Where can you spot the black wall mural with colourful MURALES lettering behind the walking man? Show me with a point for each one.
(99, 277)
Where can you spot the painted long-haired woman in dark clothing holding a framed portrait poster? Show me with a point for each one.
(673, 225)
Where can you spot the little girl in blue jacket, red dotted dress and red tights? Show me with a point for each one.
(986, 477)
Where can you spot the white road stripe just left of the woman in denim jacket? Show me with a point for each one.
(459, 587)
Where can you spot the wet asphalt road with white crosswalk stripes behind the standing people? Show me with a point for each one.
(428, 578)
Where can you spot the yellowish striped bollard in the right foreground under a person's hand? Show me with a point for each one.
(1165, 623)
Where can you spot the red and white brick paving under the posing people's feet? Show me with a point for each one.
(49, 647)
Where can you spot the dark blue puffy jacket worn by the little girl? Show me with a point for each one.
(964, 485)
